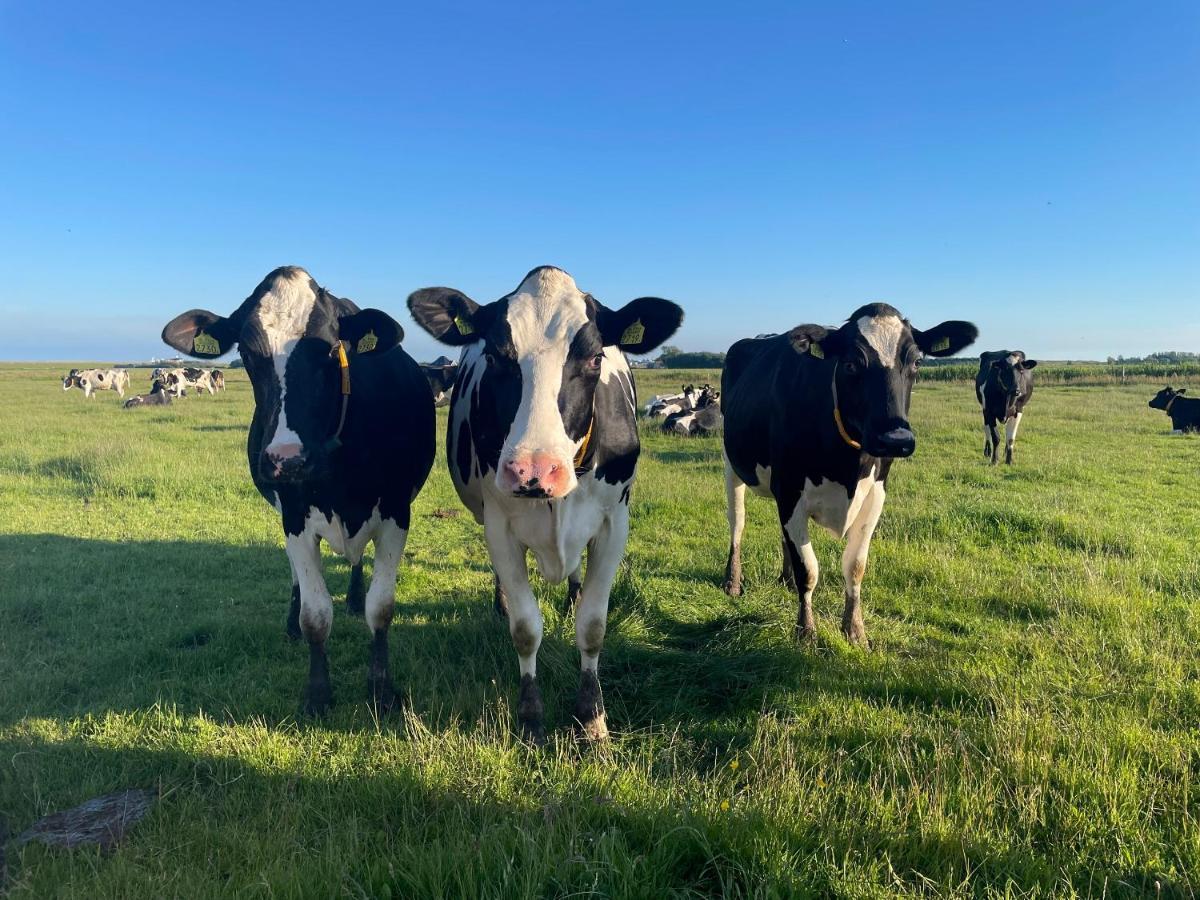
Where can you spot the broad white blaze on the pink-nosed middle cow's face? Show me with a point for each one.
(544, 316)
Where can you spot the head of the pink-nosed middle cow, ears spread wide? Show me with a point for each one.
(545, 346)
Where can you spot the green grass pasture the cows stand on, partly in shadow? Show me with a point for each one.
(1024, 725)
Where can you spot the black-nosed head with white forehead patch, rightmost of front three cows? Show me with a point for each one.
(875, 358)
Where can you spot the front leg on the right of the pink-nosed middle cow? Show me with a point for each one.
(605, 554)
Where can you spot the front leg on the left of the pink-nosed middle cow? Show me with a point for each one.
(525, 620)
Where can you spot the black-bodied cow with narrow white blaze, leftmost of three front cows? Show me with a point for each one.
(340, 445)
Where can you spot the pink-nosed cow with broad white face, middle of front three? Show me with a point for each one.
(543, 449)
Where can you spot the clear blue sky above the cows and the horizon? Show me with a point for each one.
(1034, 167)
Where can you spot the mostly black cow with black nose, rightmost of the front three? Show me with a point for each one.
(814, 419)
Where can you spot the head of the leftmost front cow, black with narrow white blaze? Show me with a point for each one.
(287, 333)
